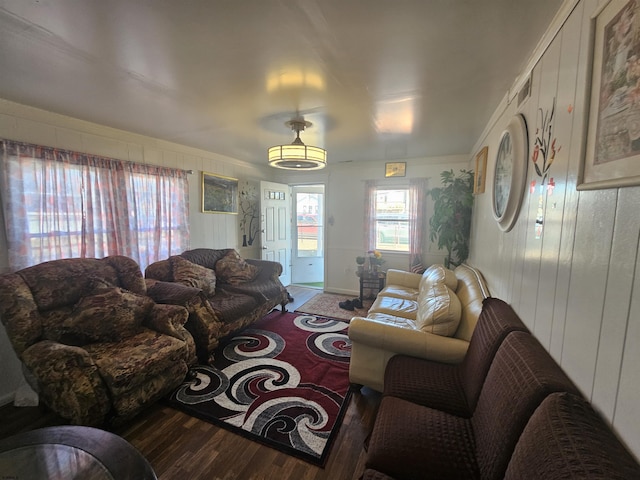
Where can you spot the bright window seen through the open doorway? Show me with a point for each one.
(309, 227)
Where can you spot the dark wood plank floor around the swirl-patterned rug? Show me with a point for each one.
(182, 447)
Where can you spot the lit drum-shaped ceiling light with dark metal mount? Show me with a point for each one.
(297, 155)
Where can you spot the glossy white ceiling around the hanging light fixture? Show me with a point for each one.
(379, 79)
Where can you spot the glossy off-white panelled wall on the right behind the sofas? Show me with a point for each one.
(577, 286)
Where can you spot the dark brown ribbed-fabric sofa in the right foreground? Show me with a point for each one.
(507, 411)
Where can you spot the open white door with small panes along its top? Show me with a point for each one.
(275, 216)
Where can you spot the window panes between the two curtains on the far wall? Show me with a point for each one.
(391, 220)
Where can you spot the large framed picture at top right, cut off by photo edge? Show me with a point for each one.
(612, 148)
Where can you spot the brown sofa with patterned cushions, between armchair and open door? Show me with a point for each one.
(222, 291)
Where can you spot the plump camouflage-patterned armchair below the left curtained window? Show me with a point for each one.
(94, 346)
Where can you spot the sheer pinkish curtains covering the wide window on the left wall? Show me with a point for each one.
(62, 204)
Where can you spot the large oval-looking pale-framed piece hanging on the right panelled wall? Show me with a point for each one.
(510, 173)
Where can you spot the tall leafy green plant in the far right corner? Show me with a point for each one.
(451, 221)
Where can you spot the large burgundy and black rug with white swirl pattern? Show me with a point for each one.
(283, 381)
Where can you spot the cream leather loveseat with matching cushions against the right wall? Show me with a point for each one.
(429, 316)
